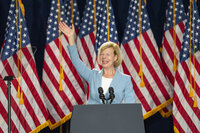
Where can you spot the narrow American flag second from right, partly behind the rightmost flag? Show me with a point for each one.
(172, 40)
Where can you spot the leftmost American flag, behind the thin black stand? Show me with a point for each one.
(17, 60)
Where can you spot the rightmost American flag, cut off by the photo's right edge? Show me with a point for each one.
(186, 116)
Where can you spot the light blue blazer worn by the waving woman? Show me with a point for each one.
(121, 83)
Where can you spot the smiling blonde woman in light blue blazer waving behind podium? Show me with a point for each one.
(109, 57)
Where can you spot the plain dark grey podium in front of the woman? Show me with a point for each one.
(107, 118)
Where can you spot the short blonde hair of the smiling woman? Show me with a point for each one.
(116, 52)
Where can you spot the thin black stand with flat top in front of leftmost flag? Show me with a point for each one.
(9, 79)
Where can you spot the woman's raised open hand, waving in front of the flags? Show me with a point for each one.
(69, 32)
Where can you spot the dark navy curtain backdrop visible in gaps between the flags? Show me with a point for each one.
(36, 14)
